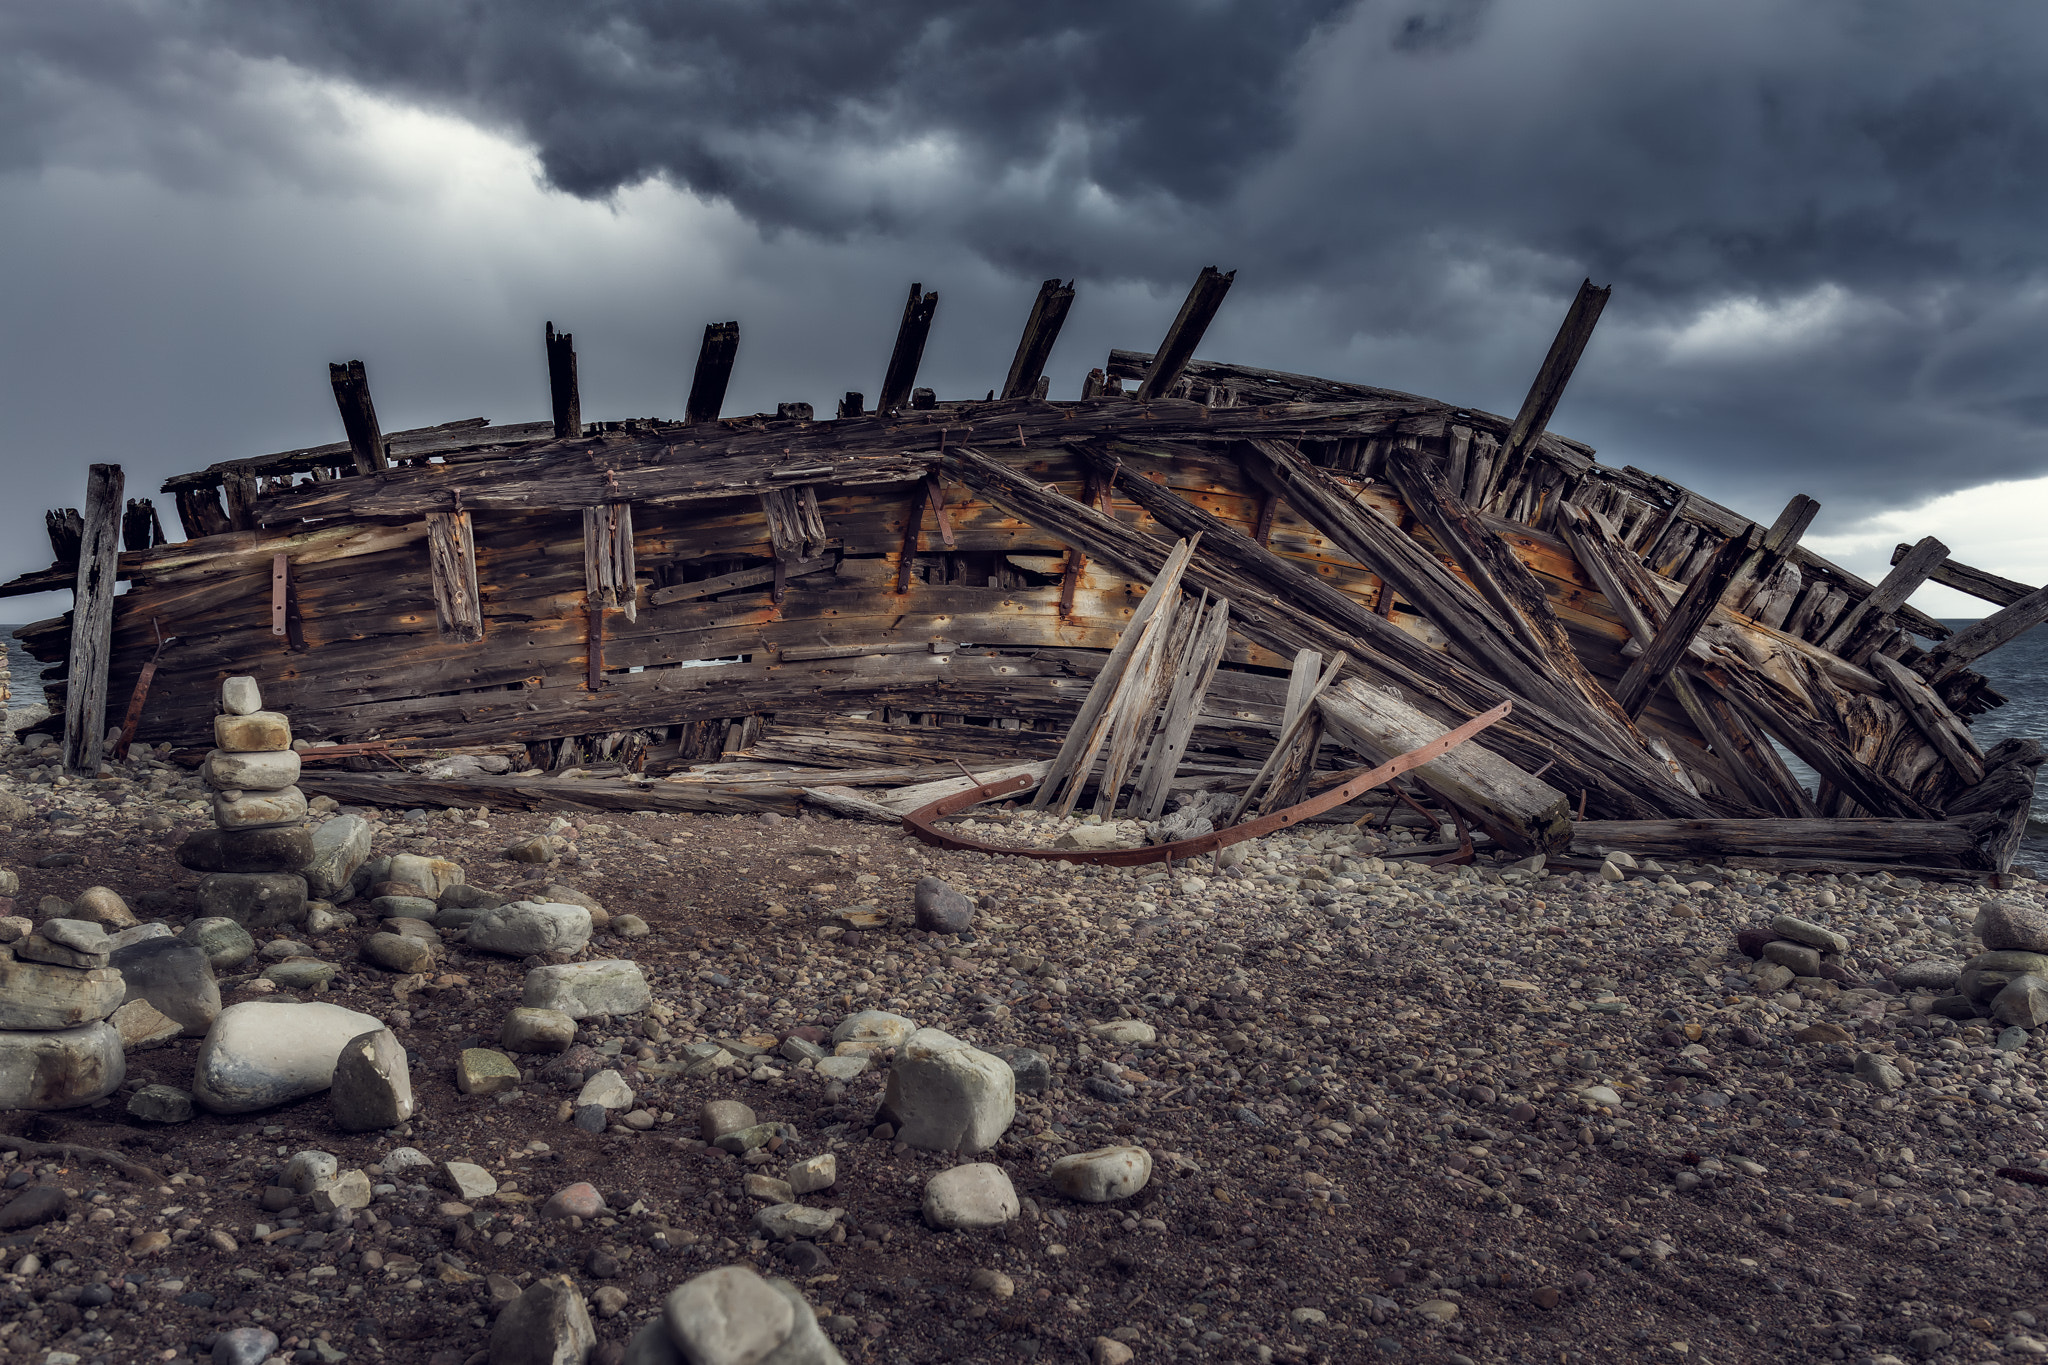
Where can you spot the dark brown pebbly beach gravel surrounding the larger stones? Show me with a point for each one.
(1367, 1104)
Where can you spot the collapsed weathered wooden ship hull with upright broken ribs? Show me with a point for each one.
(744, 613)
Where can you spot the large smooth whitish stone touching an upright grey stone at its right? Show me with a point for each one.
(267, 1053)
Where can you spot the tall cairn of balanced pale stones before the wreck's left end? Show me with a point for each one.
(261, 846)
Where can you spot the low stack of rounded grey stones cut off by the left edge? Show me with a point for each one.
(56, 992)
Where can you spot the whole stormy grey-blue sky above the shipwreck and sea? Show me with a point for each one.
(1822, 222)
